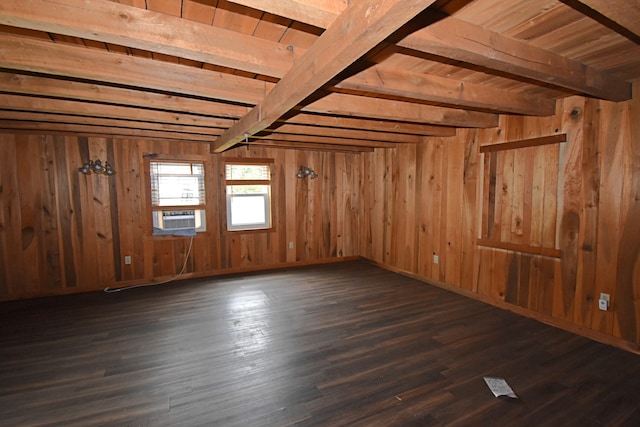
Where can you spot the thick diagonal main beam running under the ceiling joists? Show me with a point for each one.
(361, 27)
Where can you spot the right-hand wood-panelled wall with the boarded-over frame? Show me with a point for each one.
(580, 199)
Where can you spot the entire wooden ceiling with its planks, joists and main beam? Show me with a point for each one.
(313, 74)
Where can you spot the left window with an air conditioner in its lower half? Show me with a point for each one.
(177, 197)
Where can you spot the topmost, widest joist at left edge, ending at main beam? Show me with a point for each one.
(141, 29)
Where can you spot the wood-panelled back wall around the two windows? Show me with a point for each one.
(64, 232)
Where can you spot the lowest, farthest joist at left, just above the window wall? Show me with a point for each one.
(76, 129)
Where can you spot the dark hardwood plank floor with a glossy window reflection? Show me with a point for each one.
(345, 344)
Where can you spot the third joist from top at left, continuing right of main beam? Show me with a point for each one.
(74, 90)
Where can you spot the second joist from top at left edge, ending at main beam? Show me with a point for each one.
(67, 61)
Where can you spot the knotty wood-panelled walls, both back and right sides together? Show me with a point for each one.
(63, 232)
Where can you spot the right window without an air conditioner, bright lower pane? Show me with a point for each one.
(248, 188)
